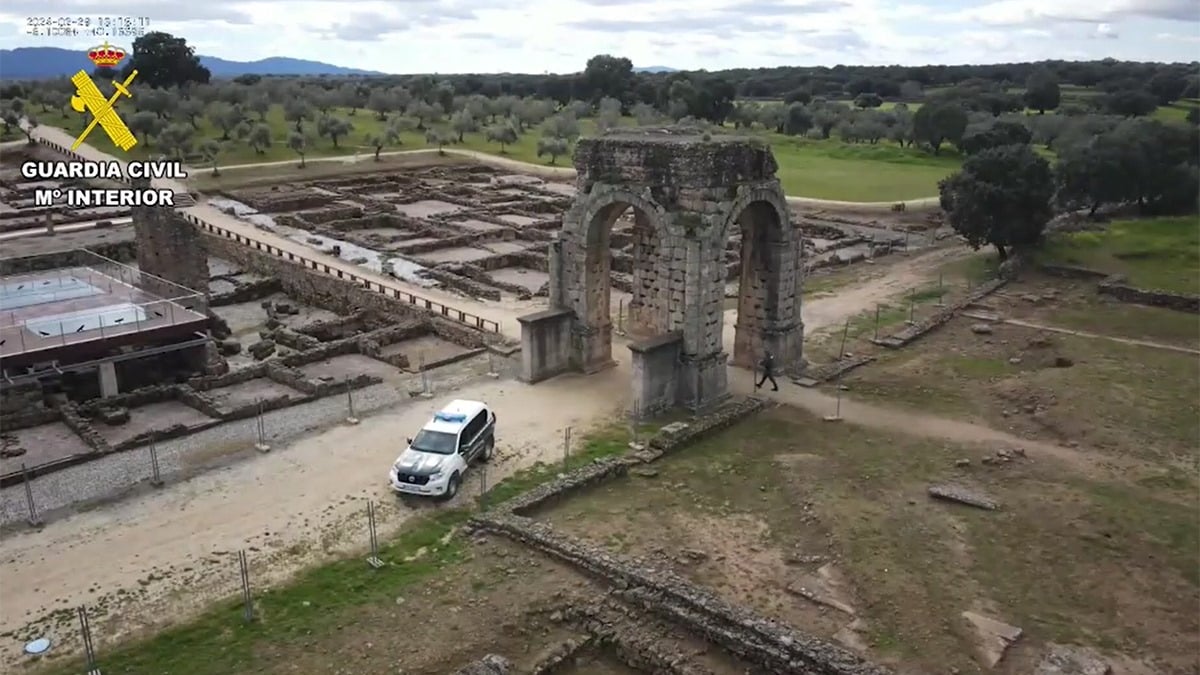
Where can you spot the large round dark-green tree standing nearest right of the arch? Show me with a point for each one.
(1000, 199)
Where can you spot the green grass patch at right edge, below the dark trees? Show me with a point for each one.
(1156, 254)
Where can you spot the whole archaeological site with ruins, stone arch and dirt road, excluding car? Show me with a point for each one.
(245, 371)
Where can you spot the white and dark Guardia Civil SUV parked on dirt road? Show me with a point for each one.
(436, 459)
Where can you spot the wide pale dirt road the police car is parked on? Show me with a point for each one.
(286, 509)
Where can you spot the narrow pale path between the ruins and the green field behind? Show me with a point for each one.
(499, 162)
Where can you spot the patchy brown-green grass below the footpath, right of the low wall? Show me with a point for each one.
(763, 499)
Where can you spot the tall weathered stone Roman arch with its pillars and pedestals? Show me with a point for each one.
(689, 196)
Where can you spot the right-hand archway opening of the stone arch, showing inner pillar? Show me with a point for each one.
(764, 273)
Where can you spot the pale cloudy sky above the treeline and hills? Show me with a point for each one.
(406, 37)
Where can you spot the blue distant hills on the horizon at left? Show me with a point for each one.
(44, 63)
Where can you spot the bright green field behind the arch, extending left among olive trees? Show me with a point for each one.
(823, 170)
